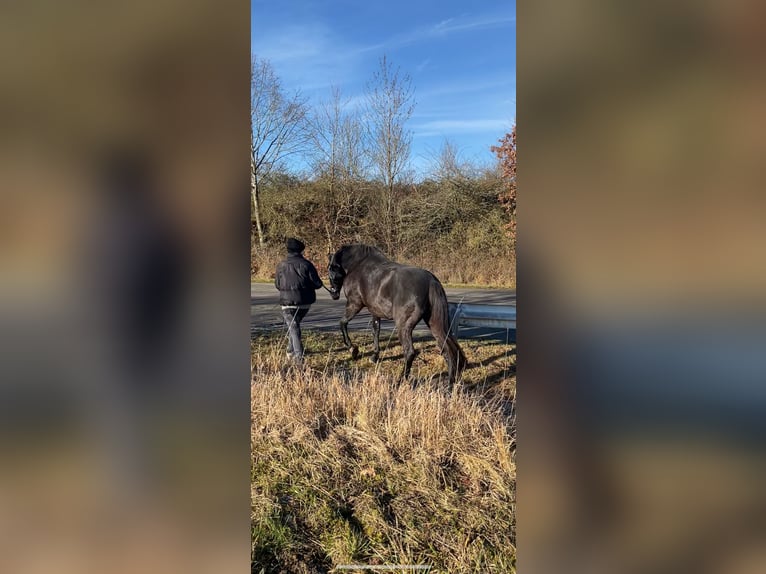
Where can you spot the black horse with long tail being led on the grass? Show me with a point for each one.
(393, 291)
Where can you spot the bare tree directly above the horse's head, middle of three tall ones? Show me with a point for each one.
(339, 162)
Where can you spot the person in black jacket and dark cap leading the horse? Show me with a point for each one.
(297, 280)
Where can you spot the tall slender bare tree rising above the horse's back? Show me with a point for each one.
(390, 103)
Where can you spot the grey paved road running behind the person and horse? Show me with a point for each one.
(265, 313)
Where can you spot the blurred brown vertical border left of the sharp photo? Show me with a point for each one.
(124, 242)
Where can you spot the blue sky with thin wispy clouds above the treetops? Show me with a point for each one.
(460, 55)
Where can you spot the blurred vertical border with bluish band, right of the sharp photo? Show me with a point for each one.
(641, 270)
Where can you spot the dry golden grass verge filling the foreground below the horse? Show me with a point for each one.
(350, 466)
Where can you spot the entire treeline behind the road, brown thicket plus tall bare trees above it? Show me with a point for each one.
(356, 185)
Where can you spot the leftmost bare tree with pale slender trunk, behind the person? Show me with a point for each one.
(279, 129)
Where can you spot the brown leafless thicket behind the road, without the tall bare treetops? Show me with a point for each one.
(457, 228)
